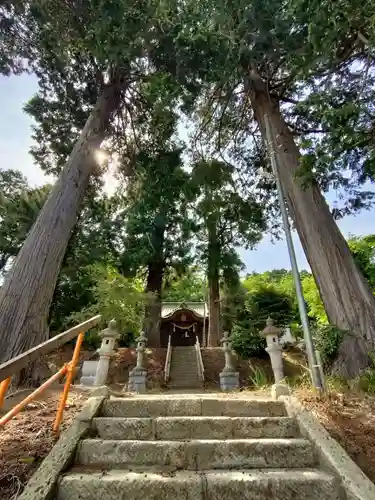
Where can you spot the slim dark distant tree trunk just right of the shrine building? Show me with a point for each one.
(213, 258)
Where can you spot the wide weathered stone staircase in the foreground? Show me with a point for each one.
(195, 448)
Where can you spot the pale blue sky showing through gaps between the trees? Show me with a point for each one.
(15, 141)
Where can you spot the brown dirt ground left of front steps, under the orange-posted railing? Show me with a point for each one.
(28, 438)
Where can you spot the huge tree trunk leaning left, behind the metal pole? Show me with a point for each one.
(346, 295)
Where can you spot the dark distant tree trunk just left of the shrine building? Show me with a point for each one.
(154, 285)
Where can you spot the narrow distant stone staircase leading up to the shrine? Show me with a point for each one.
(184, 369)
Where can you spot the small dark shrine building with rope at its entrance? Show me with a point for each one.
(184, 324)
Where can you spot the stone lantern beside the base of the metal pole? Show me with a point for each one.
(274, 349)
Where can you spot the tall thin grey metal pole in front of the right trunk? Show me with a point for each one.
(314, 368)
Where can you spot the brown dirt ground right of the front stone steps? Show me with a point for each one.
(350, 419)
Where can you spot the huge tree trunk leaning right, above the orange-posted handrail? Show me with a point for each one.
(26, 296)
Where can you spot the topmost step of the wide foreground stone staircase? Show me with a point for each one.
(148, 407)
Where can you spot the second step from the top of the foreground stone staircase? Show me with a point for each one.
(175, 428)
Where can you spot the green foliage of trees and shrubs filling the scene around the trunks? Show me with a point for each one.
(317, 68)
